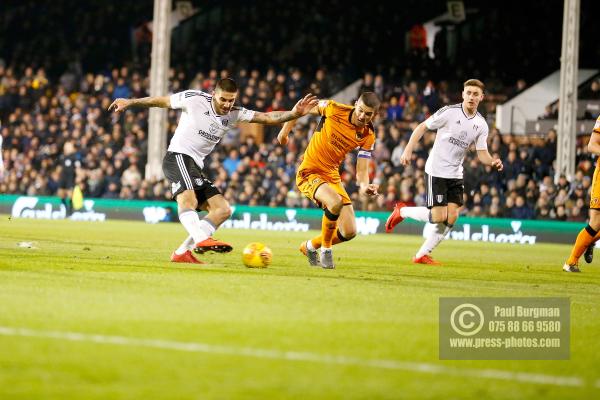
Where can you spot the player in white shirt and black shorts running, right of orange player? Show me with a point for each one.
(458, 126)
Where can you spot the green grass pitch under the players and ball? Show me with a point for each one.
(97, 311)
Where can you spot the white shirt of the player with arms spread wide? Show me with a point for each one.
(200, 128)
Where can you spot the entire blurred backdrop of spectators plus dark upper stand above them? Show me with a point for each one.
(55, 88)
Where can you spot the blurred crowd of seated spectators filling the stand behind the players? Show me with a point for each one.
(41, 116)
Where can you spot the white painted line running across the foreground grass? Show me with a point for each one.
(195, 347)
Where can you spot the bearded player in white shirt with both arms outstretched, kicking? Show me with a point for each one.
(204, 120)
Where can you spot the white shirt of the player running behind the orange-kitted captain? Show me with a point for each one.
(455, 133)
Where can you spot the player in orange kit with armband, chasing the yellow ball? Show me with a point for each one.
(342, 129)
